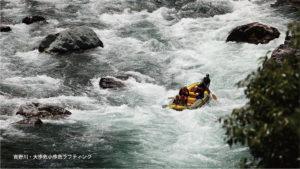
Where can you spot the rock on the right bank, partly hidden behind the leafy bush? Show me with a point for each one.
(283, 50)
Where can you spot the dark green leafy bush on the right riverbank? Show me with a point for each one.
(270, 122)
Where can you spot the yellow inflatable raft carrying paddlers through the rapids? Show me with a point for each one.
(192, 102)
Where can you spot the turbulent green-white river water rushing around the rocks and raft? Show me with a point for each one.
(162, 45)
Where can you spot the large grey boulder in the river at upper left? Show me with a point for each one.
(72, 40)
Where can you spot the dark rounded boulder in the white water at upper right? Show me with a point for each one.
(253, 33)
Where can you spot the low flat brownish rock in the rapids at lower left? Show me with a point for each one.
(42, 111)
